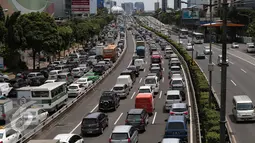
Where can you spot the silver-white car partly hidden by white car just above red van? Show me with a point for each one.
(152, 81)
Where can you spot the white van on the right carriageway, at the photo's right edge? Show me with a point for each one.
(243, 108)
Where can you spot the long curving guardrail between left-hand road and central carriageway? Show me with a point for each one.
(53, 117)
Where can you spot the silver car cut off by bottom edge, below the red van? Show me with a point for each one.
(124, 134)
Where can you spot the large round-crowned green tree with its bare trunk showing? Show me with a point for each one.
(36, 31)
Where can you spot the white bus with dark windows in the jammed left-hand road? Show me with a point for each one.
(50, 96)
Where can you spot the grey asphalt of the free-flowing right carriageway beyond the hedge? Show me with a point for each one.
(240, 78)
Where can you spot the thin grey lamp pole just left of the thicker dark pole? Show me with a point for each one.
(210, 65)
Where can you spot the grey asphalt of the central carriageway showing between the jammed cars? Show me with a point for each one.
(70, 122)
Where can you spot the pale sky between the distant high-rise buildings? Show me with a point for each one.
(149, 4)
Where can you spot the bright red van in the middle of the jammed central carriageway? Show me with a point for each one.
(145, 101)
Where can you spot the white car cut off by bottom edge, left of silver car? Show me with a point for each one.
(69, 138)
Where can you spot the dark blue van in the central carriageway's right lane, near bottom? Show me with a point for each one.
(177, 127)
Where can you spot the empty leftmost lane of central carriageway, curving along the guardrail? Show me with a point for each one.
(71, 119)
